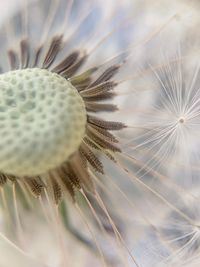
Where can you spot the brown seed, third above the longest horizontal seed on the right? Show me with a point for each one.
(98, 89)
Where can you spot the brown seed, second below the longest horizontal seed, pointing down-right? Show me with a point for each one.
(102, 142)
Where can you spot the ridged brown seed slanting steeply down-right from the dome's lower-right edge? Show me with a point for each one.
(86, 152)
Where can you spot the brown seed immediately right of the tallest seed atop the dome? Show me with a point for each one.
(67, 62)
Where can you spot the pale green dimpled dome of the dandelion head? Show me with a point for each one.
(42, 121)
